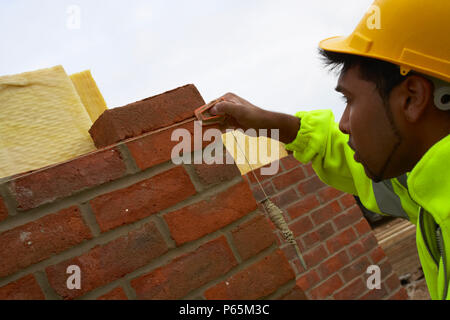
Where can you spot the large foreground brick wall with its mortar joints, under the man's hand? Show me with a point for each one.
(138, 227)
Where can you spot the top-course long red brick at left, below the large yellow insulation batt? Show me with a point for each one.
(66, 179)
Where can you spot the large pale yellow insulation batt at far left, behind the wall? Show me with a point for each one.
(42, 121)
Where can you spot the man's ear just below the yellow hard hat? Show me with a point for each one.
(415, 95)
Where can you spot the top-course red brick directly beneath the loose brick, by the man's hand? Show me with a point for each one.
(155, 148)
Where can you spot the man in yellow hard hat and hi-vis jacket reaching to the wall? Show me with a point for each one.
(392, 145)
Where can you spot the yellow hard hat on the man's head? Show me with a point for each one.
(414, 34)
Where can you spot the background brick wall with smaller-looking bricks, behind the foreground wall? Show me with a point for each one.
(335, 239)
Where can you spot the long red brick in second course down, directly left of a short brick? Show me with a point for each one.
(142, 199)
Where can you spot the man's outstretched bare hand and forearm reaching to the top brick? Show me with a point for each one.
(241, 114)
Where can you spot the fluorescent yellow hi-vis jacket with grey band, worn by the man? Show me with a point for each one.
(421, 196)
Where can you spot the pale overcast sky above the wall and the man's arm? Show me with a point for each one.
(262, 50)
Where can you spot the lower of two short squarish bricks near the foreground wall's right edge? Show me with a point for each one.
(252, 237)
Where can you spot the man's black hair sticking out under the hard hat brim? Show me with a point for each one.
(385, 75)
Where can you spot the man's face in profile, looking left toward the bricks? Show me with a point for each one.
(367, 120)
